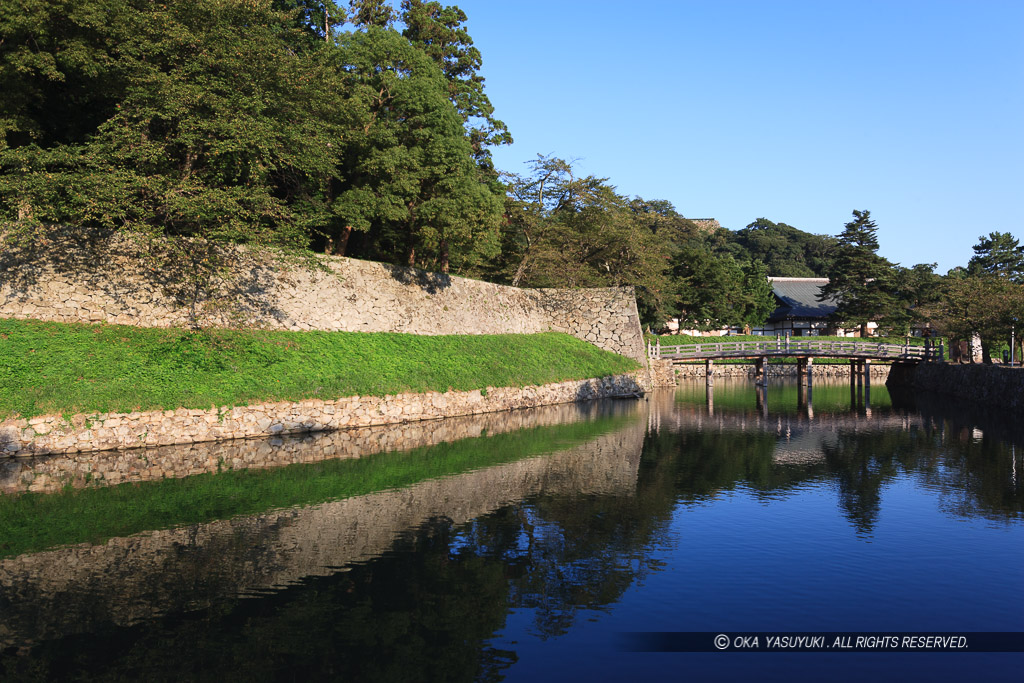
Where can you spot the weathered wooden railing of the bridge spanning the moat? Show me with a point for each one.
(785, 347)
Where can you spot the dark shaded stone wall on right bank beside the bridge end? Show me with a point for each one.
(993, 386)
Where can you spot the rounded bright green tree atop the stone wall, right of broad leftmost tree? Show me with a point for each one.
(410, 180)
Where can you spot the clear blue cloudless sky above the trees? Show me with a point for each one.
(798, 112)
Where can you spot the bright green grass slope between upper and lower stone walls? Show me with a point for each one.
(53, 368)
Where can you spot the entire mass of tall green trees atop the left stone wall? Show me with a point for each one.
(258, 123)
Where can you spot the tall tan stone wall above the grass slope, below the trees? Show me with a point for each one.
(117, 284)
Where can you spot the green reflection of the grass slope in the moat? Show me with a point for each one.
(31, 523)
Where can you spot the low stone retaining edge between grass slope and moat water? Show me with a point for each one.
(109, 432)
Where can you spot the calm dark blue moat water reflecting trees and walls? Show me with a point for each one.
(778, 511)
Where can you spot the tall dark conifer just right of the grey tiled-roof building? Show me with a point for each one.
(860, 279)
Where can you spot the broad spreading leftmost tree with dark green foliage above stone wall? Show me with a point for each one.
(215, 123)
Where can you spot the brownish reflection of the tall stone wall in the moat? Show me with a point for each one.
(74, 590)
